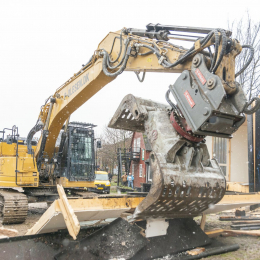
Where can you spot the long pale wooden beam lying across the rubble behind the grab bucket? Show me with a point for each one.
(101, 208)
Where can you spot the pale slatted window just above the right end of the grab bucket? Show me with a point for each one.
(220, 152)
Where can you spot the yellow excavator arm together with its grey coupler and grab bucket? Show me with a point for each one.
(209, 101)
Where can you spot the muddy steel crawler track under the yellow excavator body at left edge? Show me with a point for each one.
(13, 207)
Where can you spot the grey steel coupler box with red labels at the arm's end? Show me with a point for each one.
(210, 105)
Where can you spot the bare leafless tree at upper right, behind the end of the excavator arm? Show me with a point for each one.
(247, 32)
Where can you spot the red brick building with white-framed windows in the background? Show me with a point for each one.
(140, 166)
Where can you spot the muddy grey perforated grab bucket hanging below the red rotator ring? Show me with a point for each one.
(185, 182)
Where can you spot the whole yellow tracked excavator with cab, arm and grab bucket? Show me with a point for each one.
(208, 102)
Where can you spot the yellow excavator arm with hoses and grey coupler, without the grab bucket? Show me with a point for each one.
(150, 51)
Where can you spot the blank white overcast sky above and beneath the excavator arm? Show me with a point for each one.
(43, 43)
